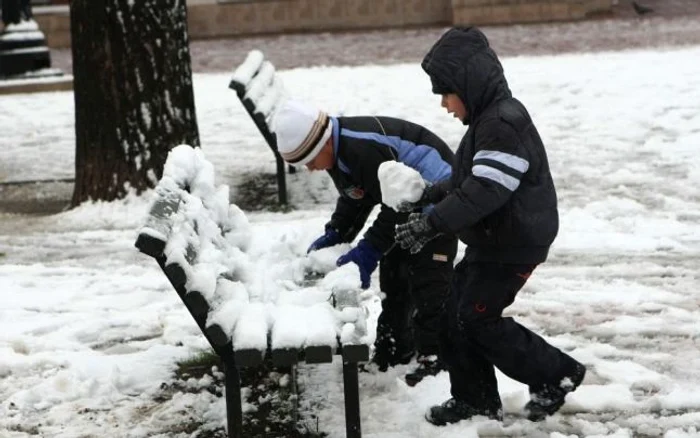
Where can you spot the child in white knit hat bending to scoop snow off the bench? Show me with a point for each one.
(351, 149)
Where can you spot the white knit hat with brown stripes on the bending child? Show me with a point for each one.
(301, 130)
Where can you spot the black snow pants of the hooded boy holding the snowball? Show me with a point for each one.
(475, 336)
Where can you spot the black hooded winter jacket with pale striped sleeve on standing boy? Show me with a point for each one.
(500, 199)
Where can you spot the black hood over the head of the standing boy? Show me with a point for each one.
(462, 62)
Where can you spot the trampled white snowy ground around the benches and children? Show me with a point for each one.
(89, 329)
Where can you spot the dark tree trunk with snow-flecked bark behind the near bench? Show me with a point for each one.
(133, 93)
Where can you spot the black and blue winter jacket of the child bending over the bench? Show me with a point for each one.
(360, 145)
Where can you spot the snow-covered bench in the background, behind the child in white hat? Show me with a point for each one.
(260, 91)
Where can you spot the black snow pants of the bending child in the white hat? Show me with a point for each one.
(416, 287)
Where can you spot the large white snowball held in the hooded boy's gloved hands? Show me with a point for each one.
(399, 183)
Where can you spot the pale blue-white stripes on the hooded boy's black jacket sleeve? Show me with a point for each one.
(500, 167)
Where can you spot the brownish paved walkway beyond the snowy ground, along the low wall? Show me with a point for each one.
(673, 23)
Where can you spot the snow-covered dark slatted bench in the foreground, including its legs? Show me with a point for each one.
(201, 242)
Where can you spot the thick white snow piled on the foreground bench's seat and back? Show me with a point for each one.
(208, 240)
